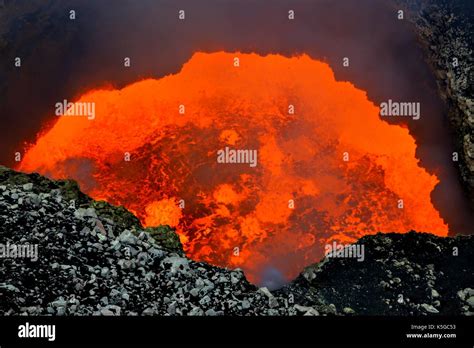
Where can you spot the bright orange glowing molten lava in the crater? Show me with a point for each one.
(330, 171)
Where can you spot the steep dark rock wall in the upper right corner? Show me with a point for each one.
(445, 30)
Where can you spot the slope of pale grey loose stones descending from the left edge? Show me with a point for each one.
(96, 259)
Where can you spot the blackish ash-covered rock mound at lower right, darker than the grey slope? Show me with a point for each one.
(402, 274)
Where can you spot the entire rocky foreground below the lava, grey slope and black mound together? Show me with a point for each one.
(96, 259)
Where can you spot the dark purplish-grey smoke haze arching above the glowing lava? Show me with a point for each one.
(62, 58)
